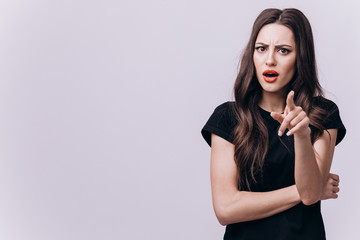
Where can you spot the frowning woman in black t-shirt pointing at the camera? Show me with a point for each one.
(271, 149)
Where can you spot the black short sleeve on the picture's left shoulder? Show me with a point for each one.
(221, 122)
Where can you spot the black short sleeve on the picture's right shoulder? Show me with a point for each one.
(333, 121)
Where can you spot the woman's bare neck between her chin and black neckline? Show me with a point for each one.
(272, 102)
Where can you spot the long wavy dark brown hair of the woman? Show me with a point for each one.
(251, 138)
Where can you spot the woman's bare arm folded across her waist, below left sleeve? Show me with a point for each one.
(232, 205)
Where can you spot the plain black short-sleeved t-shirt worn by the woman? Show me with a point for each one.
(299, 222)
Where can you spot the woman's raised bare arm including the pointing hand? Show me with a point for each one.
(312, 162)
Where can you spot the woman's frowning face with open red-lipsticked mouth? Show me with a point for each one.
(274, 57)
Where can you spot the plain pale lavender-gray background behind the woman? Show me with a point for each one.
(102, 102)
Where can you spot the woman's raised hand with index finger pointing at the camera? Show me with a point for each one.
(294, 118)
